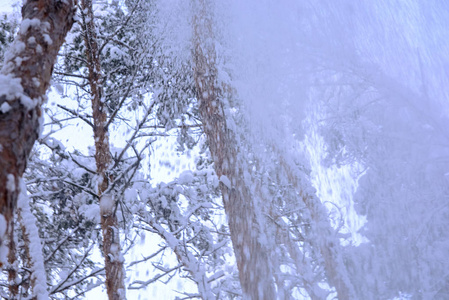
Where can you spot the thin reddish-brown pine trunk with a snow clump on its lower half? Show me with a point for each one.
(115, 273)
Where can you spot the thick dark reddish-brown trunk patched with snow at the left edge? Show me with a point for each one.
(30, 58)
